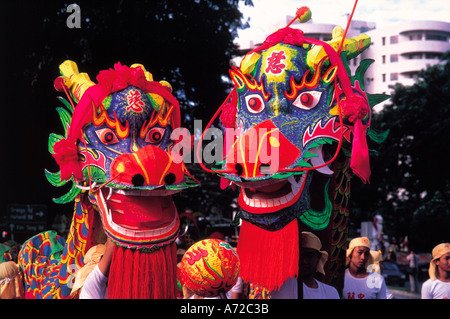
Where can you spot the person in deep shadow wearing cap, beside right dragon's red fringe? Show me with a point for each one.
(312, 261)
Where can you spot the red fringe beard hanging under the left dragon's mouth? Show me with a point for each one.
(138, 275)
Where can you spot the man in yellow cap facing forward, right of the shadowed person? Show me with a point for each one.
(358, 282)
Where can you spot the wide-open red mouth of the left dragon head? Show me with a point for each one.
(138, 216)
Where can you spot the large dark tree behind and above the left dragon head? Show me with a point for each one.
(187, 43)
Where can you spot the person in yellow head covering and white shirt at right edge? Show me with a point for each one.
(438, 286)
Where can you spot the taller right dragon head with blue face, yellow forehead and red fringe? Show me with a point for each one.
(295, 128)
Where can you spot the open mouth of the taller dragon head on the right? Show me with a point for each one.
(270, 195)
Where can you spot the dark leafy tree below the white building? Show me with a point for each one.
(409, 184)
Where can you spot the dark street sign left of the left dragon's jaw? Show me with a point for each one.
(27, 218)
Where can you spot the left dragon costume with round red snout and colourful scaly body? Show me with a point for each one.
(117, 151)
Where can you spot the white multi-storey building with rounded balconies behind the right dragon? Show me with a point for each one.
(401, 50)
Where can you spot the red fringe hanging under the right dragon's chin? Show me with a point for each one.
(268, 258)
